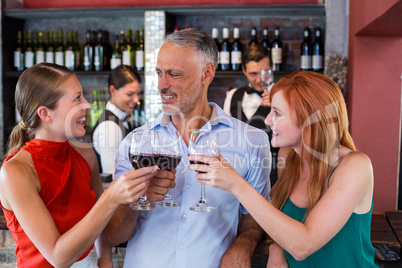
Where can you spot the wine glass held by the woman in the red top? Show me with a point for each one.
(143, 153)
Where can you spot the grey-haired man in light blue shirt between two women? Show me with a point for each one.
(178, 237)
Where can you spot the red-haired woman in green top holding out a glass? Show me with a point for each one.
(323, 199)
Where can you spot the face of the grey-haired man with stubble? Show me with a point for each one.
(179, 79)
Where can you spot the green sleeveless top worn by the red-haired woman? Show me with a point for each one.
(350, 247)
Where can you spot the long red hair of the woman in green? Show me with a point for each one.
(320, 110)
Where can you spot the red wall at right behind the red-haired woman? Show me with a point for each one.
(374, 96)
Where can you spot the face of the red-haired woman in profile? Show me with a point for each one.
(285, 132)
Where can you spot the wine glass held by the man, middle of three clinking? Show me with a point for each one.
(170, 152)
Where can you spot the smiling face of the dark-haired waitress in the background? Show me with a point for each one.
(126, 97)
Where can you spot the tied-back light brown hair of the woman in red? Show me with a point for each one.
(37, 86)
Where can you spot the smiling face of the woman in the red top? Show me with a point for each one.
(68, 118)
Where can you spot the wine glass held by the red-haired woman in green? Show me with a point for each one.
(203, 142)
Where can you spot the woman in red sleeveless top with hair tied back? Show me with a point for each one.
(50, 189)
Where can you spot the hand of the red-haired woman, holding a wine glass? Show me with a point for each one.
(217, 173)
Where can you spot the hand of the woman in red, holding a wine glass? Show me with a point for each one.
(129, 187)
